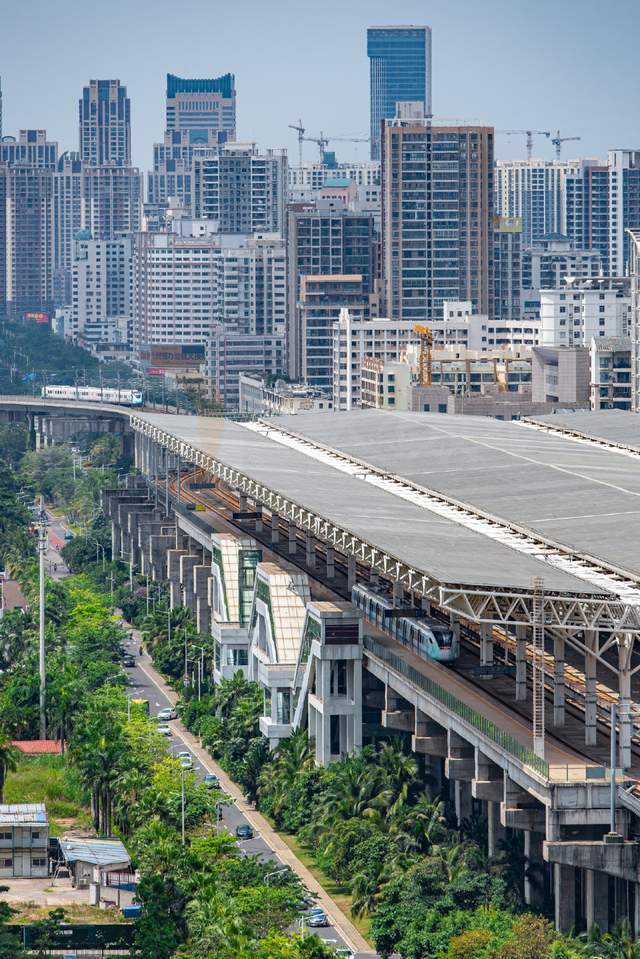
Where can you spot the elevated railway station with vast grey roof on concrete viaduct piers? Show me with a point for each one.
(524, 536)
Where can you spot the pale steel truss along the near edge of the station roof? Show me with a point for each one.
(567, 613)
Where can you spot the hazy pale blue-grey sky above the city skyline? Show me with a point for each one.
(511, 63)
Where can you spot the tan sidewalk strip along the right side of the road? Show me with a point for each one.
(339, 921)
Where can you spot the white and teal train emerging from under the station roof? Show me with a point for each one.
(426, 637)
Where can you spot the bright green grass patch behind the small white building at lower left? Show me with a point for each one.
(49, 779)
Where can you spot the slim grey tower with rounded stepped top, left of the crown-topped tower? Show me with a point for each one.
(105, 123)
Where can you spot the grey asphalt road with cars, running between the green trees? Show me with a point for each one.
(142, 685)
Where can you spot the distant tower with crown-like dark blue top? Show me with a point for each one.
(201, 106)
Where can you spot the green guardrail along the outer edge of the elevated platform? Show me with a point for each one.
(484, 726)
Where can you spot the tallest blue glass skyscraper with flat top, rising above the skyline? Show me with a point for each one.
(400, 72)
